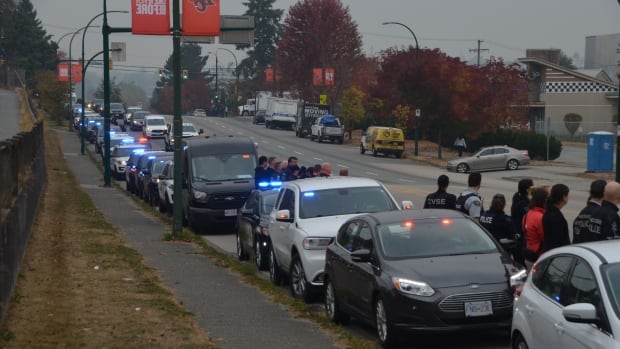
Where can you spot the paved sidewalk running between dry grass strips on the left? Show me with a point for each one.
(233, 314)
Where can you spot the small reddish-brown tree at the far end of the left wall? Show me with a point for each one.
(53, 94)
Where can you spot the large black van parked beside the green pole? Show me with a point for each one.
(218, 176)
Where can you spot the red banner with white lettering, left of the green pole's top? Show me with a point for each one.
(150, 17)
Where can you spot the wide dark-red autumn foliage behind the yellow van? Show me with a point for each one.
(453, 97)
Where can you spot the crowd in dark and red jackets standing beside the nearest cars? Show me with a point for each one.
(536, 223)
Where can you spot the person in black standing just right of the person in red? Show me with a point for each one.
(555, 226)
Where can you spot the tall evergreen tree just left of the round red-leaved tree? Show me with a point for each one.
(266, 34)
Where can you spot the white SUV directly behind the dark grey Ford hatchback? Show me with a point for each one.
(307, 216)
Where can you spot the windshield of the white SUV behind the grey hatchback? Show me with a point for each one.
(343, 201)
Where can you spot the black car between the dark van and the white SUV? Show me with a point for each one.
(252, 222)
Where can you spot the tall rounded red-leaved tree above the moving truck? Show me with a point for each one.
(316, 32)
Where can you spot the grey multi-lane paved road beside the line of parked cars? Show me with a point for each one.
(405, 180)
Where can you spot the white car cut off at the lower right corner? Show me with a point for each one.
(571, 299)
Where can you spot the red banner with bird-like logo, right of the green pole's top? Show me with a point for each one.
(201, 18)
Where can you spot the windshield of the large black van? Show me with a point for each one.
(223, 167)
